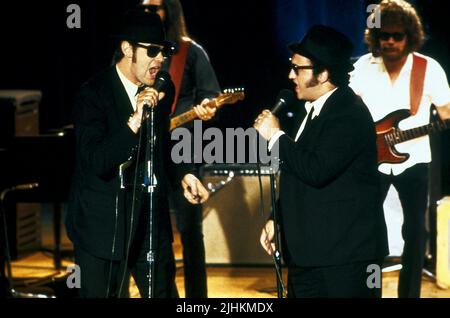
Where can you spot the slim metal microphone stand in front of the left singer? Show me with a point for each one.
(151, 188)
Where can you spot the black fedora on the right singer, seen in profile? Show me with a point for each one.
(326, 46)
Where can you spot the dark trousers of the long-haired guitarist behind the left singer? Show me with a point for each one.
(189, 220)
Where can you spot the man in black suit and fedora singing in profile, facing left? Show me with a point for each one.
(332, 223)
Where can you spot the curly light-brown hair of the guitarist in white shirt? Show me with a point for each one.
(396, 12)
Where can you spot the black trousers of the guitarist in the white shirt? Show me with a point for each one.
(412, 188)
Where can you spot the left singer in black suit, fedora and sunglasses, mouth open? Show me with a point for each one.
(107, 221)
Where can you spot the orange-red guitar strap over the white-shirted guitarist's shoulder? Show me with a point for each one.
(417, 80)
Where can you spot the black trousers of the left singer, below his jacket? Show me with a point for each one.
(102, 278)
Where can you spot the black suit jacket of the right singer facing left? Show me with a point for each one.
(331, 209)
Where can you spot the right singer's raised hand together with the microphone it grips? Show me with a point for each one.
(266, 123)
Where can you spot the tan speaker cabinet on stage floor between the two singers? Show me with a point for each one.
(232, 221)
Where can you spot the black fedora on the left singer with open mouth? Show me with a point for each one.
(138, 25)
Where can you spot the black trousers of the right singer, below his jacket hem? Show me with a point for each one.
(341, 281)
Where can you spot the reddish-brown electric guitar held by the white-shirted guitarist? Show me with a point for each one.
(388, 135)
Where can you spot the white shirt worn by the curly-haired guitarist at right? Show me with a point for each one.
(371, 81)
